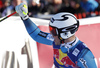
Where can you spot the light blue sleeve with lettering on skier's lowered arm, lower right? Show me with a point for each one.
(87, 61)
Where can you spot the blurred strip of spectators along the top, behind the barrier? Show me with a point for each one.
(46, 8)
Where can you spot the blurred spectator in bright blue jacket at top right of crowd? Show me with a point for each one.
(89, 5)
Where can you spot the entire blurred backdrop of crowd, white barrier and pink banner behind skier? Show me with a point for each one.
(19, 50)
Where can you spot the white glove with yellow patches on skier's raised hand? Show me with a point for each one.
(22, 11)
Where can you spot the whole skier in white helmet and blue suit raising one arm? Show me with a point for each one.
(69, 51)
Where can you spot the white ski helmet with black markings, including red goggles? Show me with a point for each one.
(64, 25)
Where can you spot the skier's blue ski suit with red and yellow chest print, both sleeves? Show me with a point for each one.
(74, 54)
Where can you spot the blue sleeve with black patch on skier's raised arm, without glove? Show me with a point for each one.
(37, 34)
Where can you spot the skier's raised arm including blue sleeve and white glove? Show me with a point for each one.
(32, 29)
